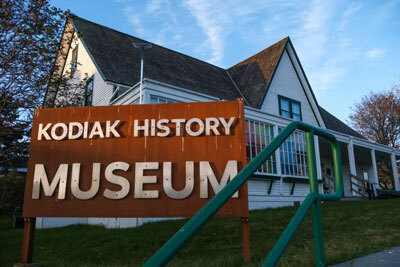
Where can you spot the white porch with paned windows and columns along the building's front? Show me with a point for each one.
(368, 168)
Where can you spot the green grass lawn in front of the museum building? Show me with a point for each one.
(351, 229)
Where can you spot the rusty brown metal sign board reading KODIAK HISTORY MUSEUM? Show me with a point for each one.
(158, 160)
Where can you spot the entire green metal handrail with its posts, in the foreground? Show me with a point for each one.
(312, 201)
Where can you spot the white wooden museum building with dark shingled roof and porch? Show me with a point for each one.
(276, 92)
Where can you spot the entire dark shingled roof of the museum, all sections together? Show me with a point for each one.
(118, 61)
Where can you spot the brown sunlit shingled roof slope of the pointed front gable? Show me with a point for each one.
(254, 74)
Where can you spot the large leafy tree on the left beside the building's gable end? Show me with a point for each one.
(30, 33)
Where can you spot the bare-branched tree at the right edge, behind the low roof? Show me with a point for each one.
(377, 117)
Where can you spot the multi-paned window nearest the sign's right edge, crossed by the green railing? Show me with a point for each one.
(258, 136)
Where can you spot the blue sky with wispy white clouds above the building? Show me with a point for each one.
(347, 48)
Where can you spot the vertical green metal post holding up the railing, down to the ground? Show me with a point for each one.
(316, 209)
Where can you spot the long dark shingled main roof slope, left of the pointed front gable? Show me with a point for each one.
(119, 62)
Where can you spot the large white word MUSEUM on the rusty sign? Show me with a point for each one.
(40, 180)
